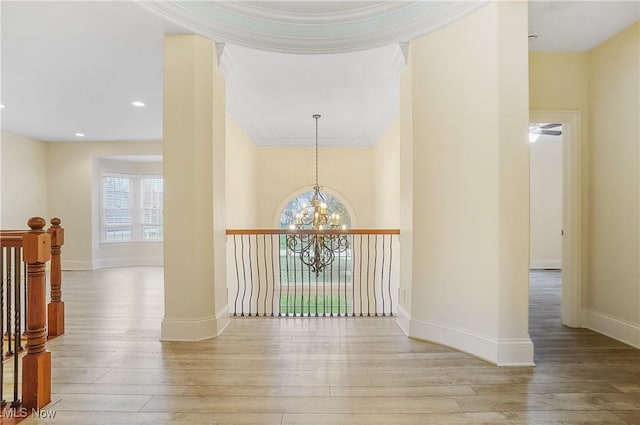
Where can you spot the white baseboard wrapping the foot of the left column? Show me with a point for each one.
(191, 330)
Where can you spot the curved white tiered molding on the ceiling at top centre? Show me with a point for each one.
(312, 27)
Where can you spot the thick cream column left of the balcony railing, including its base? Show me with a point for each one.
(193, 168)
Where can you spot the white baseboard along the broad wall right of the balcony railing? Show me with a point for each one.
(501, 352)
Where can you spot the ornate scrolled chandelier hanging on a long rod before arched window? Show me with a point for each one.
(318, 247)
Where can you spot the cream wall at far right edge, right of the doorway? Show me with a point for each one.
(614, 175)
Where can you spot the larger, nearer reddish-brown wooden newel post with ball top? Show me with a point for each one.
(36, 364)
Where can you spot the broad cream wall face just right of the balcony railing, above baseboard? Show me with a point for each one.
(455, 183)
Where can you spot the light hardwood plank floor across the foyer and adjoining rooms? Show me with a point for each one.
(110, 368)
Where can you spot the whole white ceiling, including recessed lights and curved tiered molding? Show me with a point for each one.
(76, 67)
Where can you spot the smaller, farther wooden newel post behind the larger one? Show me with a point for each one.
(55, 308)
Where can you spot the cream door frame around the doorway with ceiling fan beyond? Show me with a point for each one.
(571, 211)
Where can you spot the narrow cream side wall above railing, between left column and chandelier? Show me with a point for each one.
(241, 179)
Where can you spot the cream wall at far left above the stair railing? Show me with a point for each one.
(23, 176)
